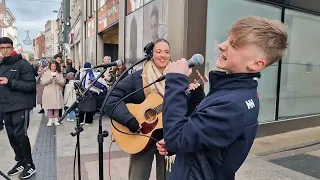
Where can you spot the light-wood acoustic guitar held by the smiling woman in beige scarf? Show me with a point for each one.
(149, 116)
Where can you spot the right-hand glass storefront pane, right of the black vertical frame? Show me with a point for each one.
(300, 75)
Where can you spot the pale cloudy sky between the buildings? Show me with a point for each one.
(32, 15)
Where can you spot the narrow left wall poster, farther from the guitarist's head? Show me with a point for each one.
(133, 40)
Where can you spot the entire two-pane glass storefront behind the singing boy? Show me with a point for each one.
(300, 71)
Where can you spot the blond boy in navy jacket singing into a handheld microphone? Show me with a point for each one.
(213, 142)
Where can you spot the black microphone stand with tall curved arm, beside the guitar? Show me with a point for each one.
(101, 133)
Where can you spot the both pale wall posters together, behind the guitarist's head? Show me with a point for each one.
(143, 26)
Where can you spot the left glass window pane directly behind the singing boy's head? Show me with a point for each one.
(218, 25)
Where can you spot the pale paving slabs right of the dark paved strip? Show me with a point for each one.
(253, 168)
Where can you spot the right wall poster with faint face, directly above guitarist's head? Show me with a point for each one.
(155, 18)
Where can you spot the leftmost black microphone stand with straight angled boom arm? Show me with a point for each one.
(78, 129)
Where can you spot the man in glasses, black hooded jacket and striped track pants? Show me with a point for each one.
(17, 98)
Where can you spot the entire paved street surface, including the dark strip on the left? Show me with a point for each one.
(53, 151)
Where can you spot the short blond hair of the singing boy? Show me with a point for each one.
(269, 35)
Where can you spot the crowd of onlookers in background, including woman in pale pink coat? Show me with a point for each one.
(56, 91)
